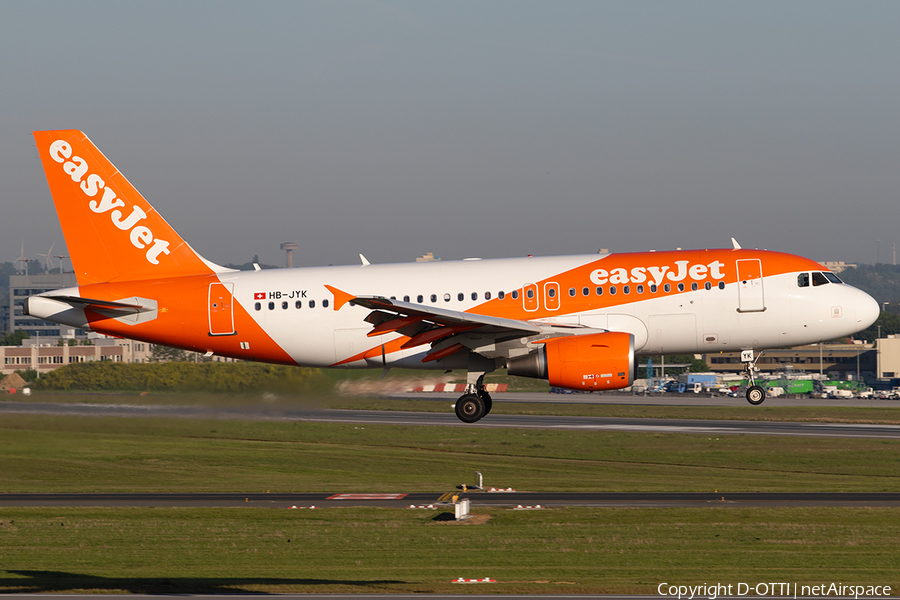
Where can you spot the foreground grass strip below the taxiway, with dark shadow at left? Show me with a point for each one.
(381, 550)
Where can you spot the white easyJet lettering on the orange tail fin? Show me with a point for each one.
(141, 236)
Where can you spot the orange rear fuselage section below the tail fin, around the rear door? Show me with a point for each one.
(183, 319)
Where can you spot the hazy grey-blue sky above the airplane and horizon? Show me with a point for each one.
(466, 128)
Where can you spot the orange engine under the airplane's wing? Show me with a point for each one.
(597, 361)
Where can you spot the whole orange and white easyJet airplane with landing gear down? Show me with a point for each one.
(575, 321)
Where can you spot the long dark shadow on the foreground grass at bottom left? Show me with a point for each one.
(39, 582)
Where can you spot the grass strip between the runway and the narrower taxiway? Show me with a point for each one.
(93, 454)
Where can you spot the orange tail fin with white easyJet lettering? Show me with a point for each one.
(112, 233)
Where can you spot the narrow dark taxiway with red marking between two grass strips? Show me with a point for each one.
(442, 500)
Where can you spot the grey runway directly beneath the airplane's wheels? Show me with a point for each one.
(448, 419)
